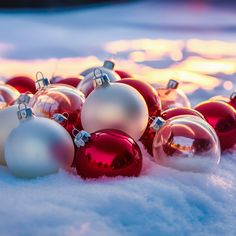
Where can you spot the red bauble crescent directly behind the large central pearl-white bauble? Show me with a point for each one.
(149, 94)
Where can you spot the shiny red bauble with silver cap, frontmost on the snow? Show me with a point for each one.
(107, 152)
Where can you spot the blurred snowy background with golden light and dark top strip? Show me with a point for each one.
(192, 41)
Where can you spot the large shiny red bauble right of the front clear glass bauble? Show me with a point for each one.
(222, 117)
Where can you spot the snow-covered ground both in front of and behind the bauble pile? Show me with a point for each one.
(154, 42)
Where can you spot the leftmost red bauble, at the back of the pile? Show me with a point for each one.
(22, 84)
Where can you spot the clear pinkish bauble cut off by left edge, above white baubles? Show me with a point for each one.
(8, 95)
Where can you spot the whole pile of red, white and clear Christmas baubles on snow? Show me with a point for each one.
(97, 122)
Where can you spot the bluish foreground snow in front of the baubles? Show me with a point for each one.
(161, 201)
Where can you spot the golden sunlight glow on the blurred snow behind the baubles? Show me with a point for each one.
(169, 59)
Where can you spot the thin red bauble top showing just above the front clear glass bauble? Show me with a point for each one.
(178, 111)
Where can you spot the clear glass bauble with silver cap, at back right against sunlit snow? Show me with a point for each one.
(171, 96)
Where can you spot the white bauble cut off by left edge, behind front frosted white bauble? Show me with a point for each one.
(8, 122)
